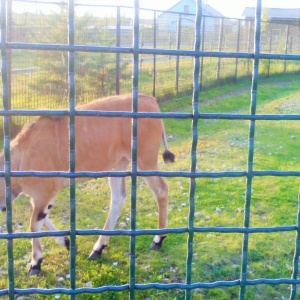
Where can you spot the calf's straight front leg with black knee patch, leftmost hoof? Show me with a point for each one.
(36, 223)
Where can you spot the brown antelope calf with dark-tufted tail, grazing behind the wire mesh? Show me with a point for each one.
(102, 143)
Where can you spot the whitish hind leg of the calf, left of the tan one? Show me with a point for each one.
(118, 195)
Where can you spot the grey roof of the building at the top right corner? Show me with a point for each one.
(274, 13)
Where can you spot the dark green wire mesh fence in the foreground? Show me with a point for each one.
(198, 54)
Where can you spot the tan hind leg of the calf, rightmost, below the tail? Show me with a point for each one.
(159, 188)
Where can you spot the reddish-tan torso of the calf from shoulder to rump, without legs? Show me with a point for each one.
(100, 141)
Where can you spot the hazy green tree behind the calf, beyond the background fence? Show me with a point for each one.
(95, 73)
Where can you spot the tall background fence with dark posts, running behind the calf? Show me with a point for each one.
(39, 78)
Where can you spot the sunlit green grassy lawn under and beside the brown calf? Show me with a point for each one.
(222, 146)
